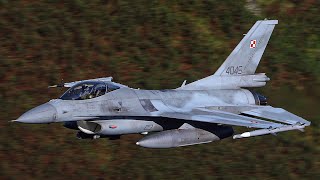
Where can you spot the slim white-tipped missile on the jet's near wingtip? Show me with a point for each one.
(269, 131)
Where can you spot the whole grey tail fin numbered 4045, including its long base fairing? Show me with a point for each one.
(239, 68)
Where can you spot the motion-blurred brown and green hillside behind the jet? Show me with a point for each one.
(153, 45)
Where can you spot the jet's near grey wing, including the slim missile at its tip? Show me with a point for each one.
(288, 121)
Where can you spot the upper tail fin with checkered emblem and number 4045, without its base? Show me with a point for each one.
(245, 58)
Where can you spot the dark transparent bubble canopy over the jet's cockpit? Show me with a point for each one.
(88, 90)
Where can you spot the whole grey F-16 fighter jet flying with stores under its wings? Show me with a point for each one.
(200, 112)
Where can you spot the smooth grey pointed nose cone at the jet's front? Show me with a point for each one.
(44, 113)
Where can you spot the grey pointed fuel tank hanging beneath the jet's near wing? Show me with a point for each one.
(179, 137)
